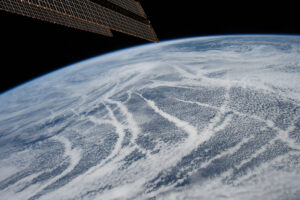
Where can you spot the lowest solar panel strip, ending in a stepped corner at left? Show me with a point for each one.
(15, 6)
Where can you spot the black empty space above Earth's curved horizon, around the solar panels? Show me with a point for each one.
(30, 48)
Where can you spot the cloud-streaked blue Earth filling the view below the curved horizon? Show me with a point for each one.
(197, 118)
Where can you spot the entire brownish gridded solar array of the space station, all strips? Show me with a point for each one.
(96, 16)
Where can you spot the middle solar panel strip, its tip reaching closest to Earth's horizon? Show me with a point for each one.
(95, 13)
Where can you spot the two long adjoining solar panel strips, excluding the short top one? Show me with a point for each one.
(81, 14)
